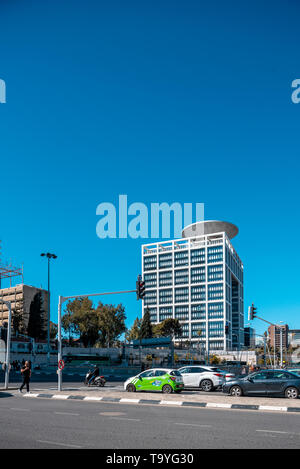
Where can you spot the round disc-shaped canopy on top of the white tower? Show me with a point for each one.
(206, 227)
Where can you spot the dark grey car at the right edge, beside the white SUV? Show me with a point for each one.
(265, 383)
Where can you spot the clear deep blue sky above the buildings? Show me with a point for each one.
(163, 101)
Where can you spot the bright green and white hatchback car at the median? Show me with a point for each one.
(165, 380)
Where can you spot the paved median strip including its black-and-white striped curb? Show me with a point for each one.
(184, 399)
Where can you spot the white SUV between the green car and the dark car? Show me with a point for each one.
(207, 378)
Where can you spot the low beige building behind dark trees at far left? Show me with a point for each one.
(21, 297)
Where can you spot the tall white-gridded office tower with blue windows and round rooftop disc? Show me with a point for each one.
(198, 280)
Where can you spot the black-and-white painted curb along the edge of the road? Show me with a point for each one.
(209, 405)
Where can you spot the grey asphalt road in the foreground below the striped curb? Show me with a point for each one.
(43, 423)
